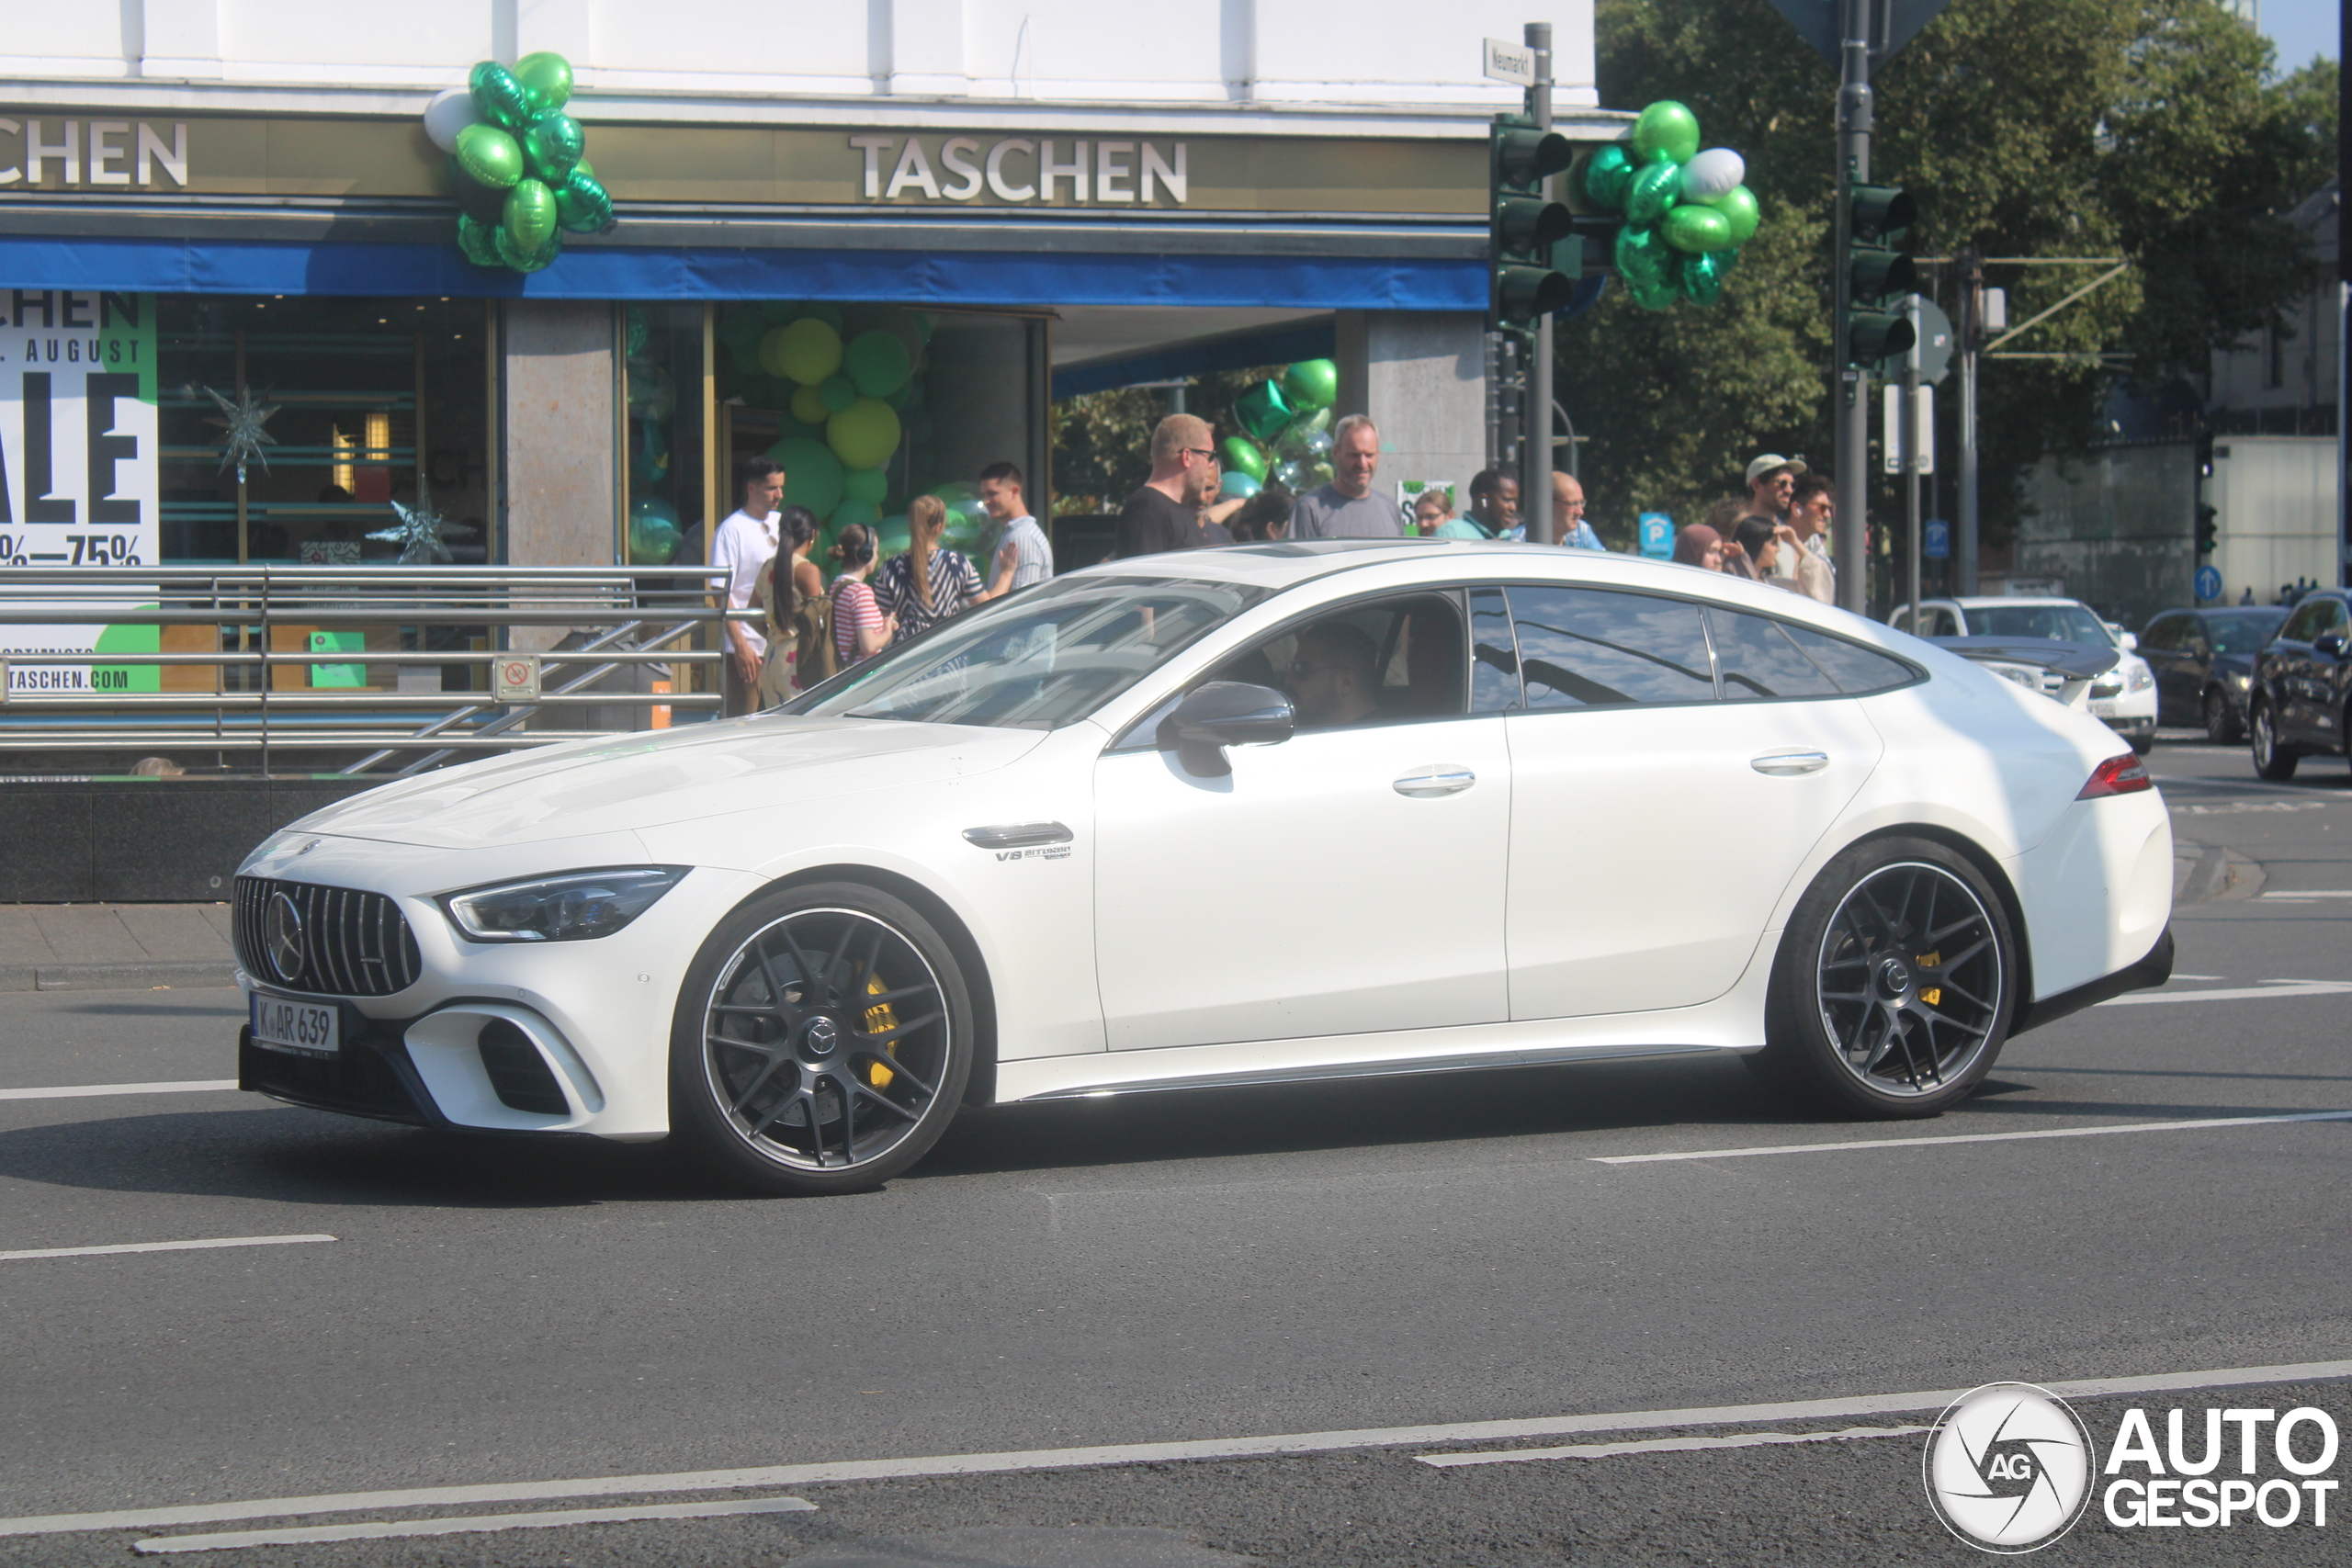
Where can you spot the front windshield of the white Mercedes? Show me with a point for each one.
(1036, 659)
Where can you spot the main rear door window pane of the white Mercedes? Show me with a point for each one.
(1586, 648)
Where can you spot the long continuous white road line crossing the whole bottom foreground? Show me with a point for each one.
(1132, 1454)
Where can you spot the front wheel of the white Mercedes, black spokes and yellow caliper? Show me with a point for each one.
(822, 1043)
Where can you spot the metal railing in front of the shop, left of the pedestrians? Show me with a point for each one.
(239, 683)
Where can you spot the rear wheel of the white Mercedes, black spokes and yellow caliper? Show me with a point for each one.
(1895, 984)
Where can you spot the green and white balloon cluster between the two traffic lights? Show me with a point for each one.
(1688, 215)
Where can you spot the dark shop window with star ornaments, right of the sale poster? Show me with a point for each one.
(377, 403)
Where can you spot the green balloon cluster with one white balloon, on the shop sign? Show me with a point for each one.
(519, 163)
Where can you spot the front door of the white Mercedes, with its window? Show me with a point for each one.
(1339, 883)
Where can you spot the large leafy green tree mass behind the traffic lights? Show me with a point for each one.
(2026, 128)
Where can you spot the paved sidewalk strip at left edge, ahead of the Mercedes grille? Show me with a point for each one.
(114, 946)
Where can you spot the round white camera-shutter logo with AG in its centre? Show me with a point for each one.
(2010, 1468)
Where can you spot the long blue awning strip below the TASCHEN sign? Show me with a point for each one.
(613, 272)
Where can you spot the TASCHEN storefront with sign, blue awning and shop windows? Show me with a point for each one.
(168, 279)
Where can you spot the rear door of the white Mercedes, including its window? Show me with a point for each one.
(1655, 822)
